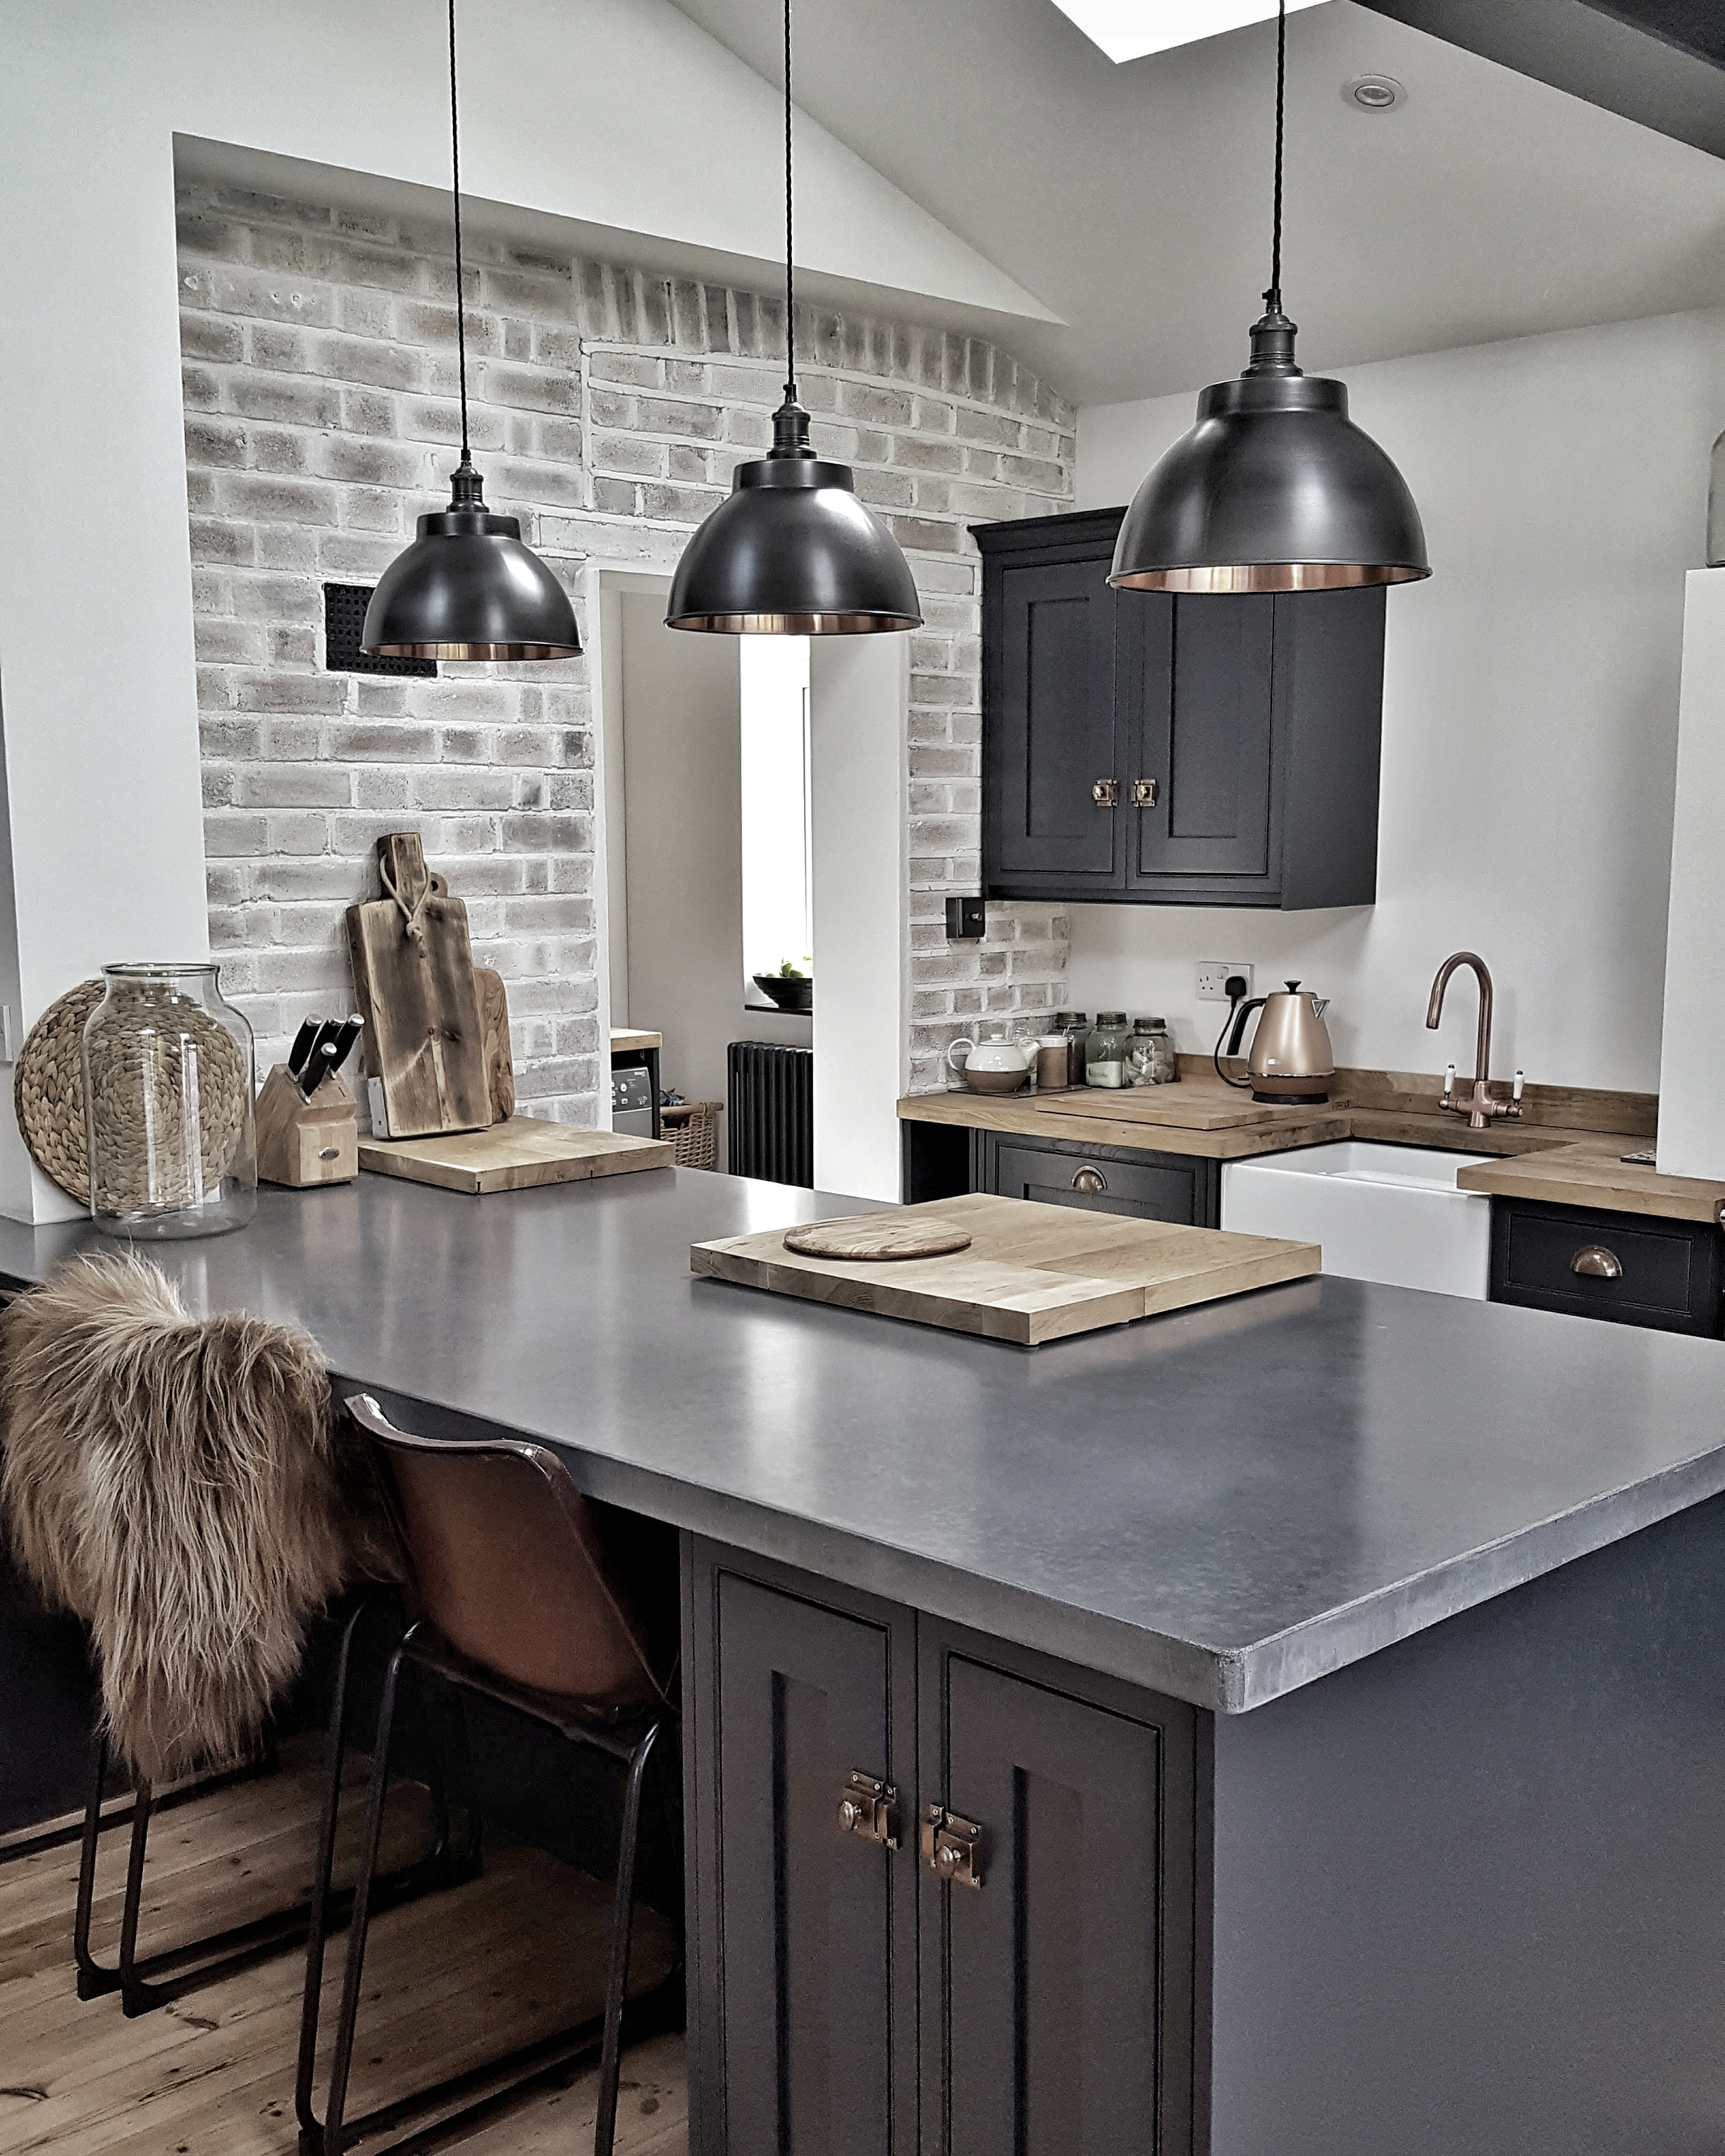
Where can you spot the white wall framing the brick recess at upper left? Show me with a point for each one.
(105, 842)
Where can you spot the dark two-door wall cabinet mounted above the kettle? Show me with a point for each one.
(1202, 751)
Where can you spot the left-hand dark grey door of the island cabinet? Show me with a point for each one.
(805, 1909)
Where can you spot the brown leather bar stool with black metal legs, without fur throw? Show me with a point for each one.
(519, 1603)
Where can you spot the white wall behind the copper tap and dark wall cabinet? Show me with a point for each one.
(1530, 710)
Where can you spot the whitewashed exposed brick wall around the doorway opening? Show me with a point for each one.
(607, 413)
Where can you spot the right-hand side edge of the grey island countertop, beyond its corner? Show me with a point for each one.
(1288, 1661)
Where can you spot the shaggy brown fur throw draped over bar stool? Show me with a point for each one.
(171, 1482)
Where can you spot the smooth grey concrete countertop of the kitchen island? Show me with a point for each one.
(1222, 1504)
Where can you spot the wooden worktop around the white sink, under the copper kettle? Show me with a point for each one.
(1567, 1148)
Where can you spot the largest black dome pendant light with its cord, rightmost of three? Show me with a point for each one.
(1275, 488)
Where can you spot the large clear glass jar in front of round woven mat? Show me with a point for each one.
(169, 1086)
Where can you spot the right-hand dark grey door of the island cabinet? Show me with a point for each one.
(1058, 1998)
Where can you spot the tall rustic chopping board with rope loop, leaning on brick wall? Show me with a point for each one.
(415, 989)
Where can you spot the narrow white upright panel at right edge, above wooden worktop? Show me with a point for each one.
(1692, 1086)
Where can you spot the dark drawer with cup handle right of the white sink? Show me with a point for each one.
(1668, 1271)
